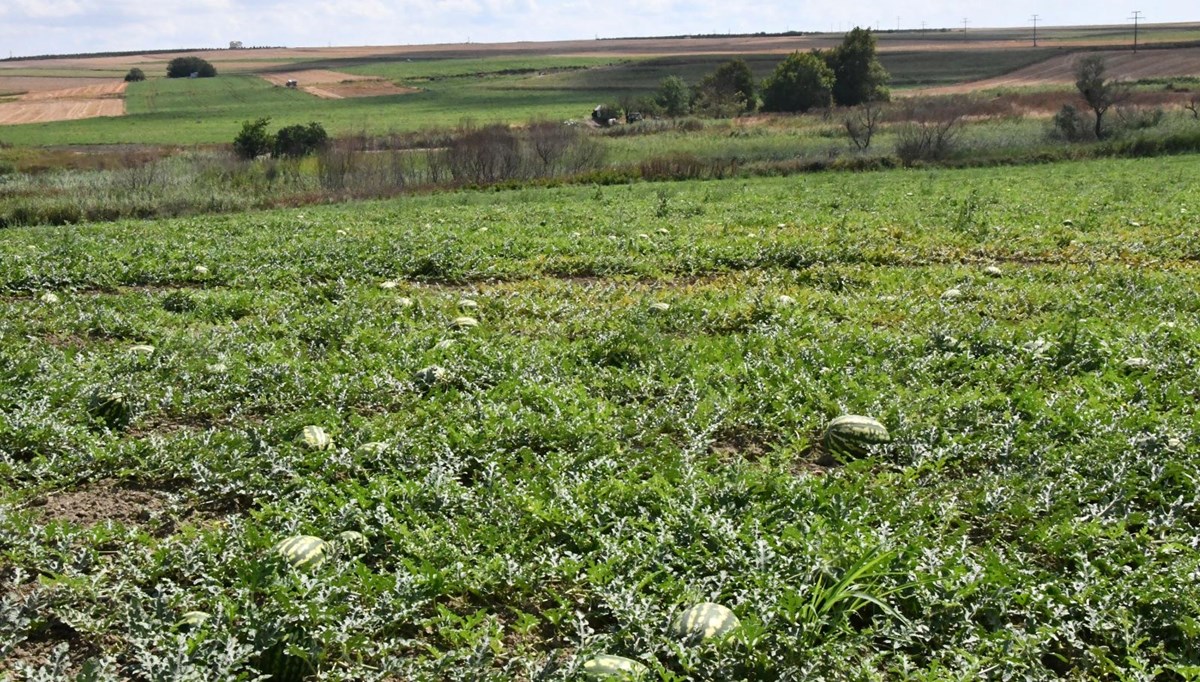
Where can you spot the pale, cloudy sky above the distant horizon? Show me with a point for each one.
(32, 28)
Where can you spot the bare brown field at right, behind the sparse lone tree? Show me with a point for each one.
(1060, 71)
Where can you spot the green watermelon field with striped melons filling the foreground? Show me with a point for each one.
(513, 435)
